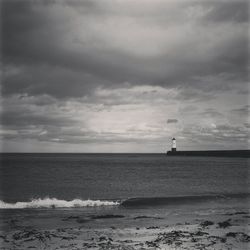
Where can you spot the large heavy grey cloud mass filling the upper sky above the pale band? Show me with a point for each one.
(55, 56)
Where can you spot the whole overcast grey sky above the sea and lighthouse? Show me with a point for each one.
(124, 75)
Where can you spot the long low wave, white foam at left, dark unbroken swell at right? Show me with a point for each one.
(130, 202)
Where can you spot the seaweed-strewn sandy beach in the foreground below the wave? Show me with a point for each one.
(126, 229)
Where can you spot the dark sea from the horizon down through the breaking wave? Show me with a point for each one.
(61, 180)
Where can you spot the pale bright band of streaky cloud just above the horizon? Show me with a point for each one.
(127, 115)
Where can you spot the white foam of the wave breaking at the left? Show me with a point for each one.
(55, 203)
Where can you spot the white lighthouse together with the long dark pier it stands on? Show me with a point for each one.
(208, 153)
